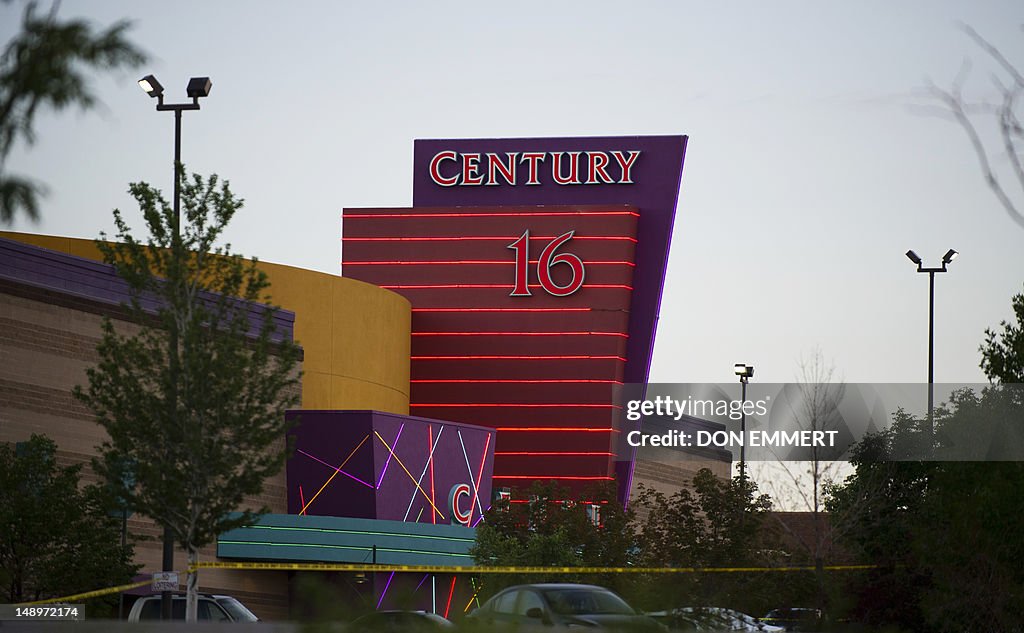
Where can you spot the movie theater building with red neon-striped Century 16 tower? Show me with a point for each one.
(476, 343)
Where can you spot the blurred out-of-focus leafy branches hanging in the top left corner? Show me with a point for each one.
(45, 66)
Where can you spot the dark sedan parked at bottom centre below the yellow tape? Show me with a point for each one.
(543, 606)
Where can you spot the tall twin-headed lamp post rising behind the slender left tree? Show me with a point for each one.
(198, 88)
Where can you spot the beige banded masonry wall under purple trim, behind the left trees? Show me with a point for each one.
(45, 352)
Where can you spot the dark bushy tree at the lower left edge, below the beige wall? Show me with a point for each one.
(56, 538)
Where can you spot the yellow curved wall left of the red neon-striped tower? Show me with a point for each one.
(356, 336)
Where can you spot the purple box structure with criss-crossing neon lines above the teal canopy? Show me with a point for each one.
(370, 465)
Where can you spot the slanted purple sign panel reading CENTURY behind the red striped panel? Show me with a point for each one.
(643, 172)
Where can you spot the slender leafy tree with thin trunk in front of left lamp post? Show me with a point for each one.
(195, 396)
